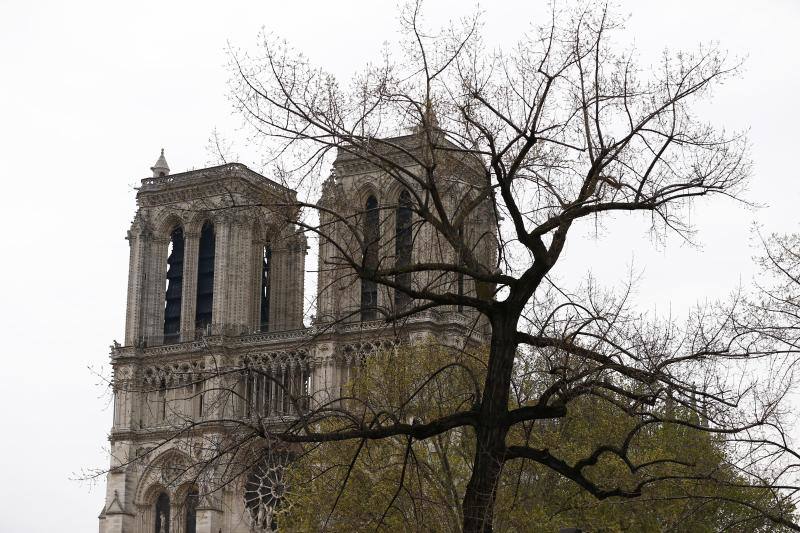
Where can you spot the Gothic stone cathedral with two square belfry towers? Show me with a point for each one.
(216, 337)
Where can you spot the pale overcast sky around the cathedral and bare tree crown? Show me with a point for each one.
(91, 91)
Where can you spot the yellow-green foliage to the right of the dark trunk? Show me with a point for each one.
(689, 485)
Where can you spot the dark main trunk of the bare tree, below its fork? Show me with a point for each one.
(491, 432)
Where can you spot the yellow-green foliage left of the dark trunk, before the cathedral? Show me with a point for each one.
(435, 472)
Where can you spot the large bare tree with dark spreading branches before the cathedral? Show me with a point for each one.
(509, 152)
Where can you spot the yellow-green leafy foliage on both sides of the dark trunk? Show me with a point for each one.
(394, 485)
